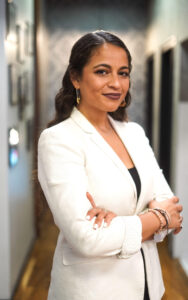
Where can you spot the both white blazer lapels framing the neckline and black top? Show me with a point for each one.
(131, 143)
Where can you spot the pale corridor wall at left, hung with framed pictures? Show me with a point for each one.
(17, 204)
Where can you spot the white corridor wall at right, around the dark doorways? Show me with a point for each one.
(168, 28)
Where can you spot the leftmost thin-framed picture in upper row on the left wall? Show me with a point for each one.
(21, 43)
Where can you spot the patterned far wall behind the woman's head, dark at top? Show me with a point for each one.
(67, 21)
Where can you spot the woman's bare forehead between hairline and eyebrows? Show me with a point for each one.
(108, 53)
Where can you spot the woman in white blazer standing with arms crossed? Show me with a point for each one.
(99, 176)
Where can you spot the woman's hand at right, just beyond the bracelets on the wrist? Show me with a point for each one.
(173, 208)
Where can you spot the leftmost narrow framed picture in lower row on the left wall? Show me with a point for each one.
(12, 84)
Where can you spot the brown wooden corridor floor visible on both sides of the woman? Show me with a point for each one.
(36, 276)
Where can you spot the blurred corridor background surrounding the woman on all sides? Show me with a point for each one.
(36, 37)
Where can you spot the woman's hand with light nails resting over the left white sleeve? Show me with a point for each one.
(101, 214)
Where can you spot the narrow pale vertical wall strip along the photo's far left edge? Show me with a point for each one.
(4, 205)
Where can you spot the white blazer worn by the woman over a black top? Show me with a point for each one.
(89, 264)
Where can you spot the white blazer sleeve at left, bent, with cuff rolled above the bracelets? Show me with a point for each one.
(62, 176)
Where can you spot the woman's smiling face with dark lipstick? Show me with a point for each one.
(105, 80)
